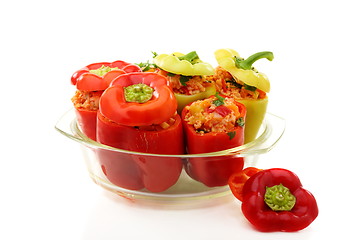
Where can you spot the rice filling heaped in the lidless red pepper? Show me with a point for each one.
(206, 116)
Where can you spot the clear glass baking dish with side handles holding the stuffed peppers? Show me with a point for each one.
(104, 163)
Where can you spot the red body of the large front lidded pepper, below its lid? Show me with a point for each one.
(135, 171)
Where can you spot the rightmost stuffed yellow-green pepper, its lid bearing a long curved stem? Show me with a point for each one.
(236, 77)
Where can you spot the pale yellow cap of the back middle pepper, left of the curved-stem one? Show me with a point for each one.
(173, 63)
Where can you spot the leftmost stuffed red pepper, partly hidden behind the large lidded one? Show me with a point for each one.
(90, 82)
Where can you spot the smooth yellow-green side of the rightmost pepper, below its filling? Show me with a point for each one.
(255, 114)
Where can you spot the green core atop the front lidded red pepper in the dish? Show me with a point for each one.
(139, 93)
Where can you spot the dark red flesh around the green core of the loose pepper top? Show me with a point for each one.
(263, 217)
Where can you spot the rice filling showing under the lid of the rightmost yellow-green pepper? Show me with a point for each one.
(227, 85)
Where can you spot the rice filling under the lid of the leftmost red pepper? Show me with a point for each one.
(86, 100)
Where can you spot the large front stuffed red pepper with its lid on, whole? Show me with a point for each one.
(138, 113)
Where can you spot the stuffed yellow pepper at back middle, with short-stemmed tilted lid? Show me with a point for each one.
(187, 76)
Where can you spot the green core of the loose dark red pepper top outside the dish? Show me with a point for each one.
(279, 198)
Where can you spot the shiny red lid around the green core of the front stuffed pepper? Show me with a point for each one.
(158, 109)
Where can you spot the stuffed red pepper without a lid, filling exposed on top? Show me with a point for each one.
(210, 125)
